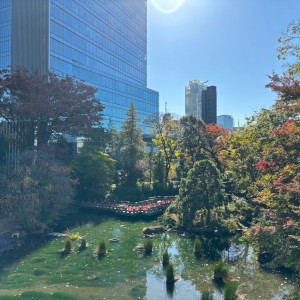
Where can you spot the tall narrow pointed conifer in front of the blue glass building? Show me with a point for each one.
(132, 146)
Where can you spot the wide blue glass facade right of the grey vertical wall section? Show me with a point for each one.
(104, 43)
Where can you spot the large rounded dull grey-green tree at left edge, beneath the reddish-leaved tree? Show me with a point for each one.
(34, 190)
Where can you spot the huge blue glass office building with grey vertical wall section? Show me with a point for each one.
(103, 43)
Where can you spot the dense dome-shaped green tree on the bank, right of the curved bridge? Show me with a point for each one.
(202, 189)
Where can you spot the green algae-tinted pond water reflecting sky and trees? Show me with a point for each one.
(125, 273)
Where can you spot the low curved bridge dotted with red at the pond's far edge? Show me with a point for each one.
(151, 207)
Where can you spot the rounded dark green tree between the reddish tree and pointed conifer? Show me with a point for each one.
(94, 171)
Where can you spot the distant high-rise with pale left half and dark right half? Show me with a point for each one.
(201, 101)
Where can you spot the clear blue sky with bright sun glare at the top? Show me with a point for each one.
(230, 43)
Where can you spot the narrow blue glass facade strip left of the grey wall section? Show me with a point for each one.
(5, 33)
